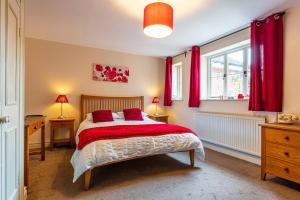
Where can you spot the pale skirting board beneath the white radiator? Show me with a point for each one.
(233, 153)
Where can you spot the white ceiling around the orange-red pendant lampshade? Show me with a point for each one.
(117, 24)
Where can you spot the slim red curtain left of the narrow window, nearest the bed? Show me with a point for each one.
(168, 83)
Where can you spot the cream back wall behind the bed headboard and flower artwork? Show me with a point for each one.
(54, 68)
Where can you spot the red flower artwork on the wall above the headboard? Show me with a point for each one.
(110, 73)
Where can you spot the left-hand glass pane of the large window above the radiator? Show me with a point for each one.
(216, 76)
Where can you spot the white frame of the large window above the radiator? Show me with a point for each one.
(225, 53)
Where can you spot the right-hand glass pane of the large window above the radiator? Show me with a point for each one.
(235, 73)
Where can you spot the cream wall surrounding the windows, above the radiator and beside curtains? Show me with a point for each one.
(180, 113)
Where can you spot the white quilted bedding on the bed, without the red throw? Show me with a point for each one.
(106, 151)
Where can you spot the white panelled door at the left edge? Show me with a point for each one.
(10, 100)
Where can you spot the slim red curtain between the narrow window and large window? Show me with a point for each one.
(194, 97)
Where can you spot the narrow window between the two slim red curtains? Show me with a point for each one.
(177, 81)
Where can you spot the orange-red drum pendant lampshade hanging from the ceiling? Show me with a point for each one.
(158, 20)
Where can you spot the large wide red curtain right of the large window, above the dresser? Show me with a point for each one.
(266, 89)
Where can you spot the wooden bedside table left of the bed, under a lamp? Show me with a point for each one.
(62, 123)
